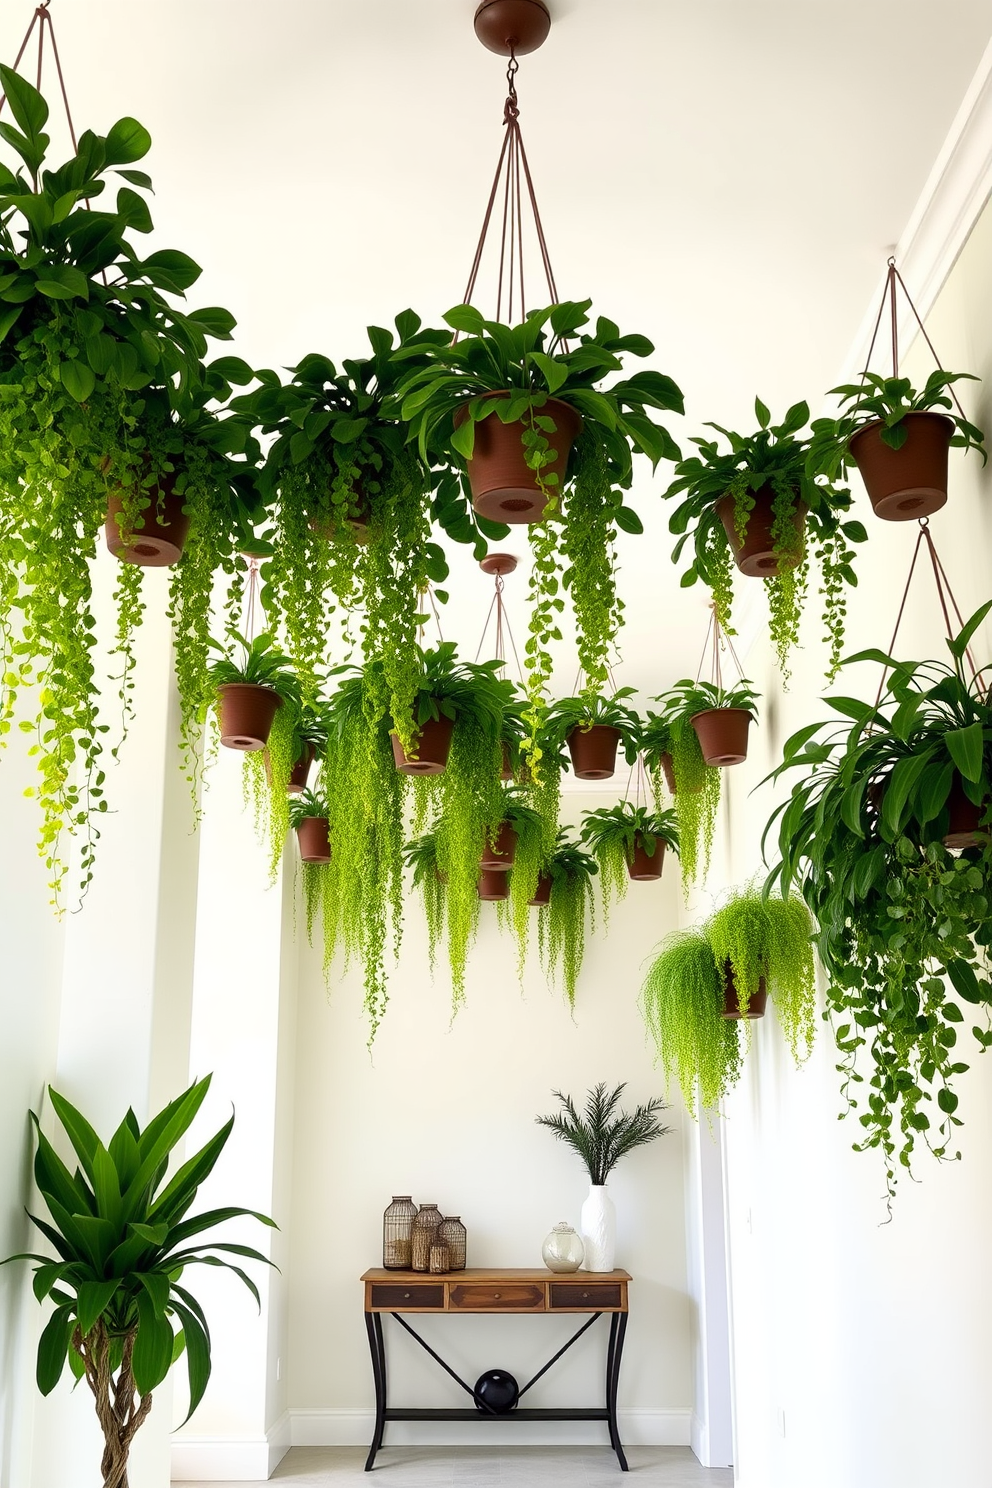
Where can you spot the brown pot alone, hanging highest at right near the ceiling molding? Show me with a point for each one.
(912, 481)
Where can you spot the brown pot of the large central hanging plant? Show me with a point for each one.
(503, 486)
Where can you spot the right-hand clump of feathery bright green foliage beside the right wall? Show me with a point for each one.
(770, 938)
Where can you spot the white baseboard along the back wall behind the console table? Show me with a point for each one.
(639, 1428)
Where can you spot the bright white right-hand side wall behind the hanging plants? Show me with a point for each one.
(862, 1349)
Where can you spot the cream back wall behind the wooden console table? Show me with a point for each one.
(447, 1112)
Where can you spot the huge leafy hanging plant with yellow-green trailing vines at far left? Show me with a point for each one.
(91, 350)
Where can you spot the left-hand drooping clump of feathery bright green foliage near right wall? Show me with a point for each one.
(682, 1001)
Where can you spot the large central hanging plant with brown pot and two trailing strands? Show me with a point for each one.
(544, 437)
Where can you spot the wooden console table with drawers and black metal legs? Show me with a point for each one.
(496, 1291)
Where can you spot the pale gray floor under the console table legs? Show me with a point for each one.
(493, 1468)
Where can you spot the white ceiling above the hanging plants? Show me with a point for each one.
(725, 176)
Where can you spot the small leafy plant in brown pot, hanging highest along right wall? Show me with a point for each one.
(899, 438)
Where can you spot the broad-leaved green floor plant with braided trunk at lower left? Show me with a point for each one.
(124, 1237)
